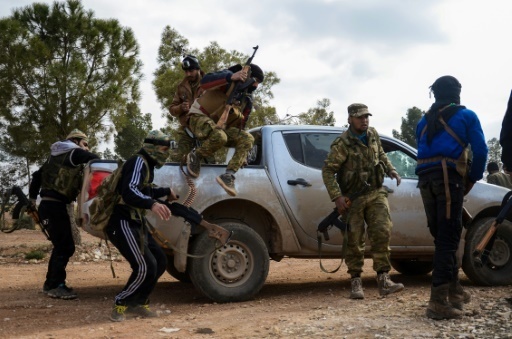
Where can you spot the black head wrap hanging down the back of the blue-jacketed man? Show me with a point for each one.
(446, 91)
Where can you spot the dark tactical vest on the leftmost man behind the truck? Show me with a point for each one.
(62, 179)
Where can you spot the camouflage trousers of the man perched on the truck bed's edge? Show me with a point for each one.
(212, 139)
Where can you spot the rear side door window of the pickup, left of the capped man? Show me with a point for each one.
(309, 149)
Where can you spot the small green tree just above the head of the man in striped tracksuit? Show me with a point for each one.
(129, 138)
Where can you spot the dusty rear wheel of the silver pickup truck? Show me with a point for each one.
(234, 272)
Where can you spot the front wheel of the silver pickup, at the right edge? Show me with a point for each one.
(498, 270)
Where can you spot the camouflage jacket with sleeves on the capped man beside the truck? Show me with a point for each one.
(351, 163)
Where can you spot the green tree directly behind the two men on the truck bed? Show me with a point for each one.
(212, 58)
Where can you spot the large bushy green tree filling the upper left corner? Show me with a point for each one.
(61, 68)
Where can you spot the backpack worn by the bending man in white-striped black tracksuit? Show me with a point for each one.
(106, 199)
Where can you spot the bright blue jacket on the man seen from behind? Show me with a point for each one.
(467, 127)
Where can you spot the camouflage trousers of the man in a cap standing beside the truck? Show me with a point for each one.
(372, 208)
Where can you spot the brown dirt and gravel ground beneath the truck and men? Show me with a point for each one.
(298, 300)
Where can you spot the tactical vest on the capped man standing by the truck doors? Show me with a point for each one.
(362, 164)
